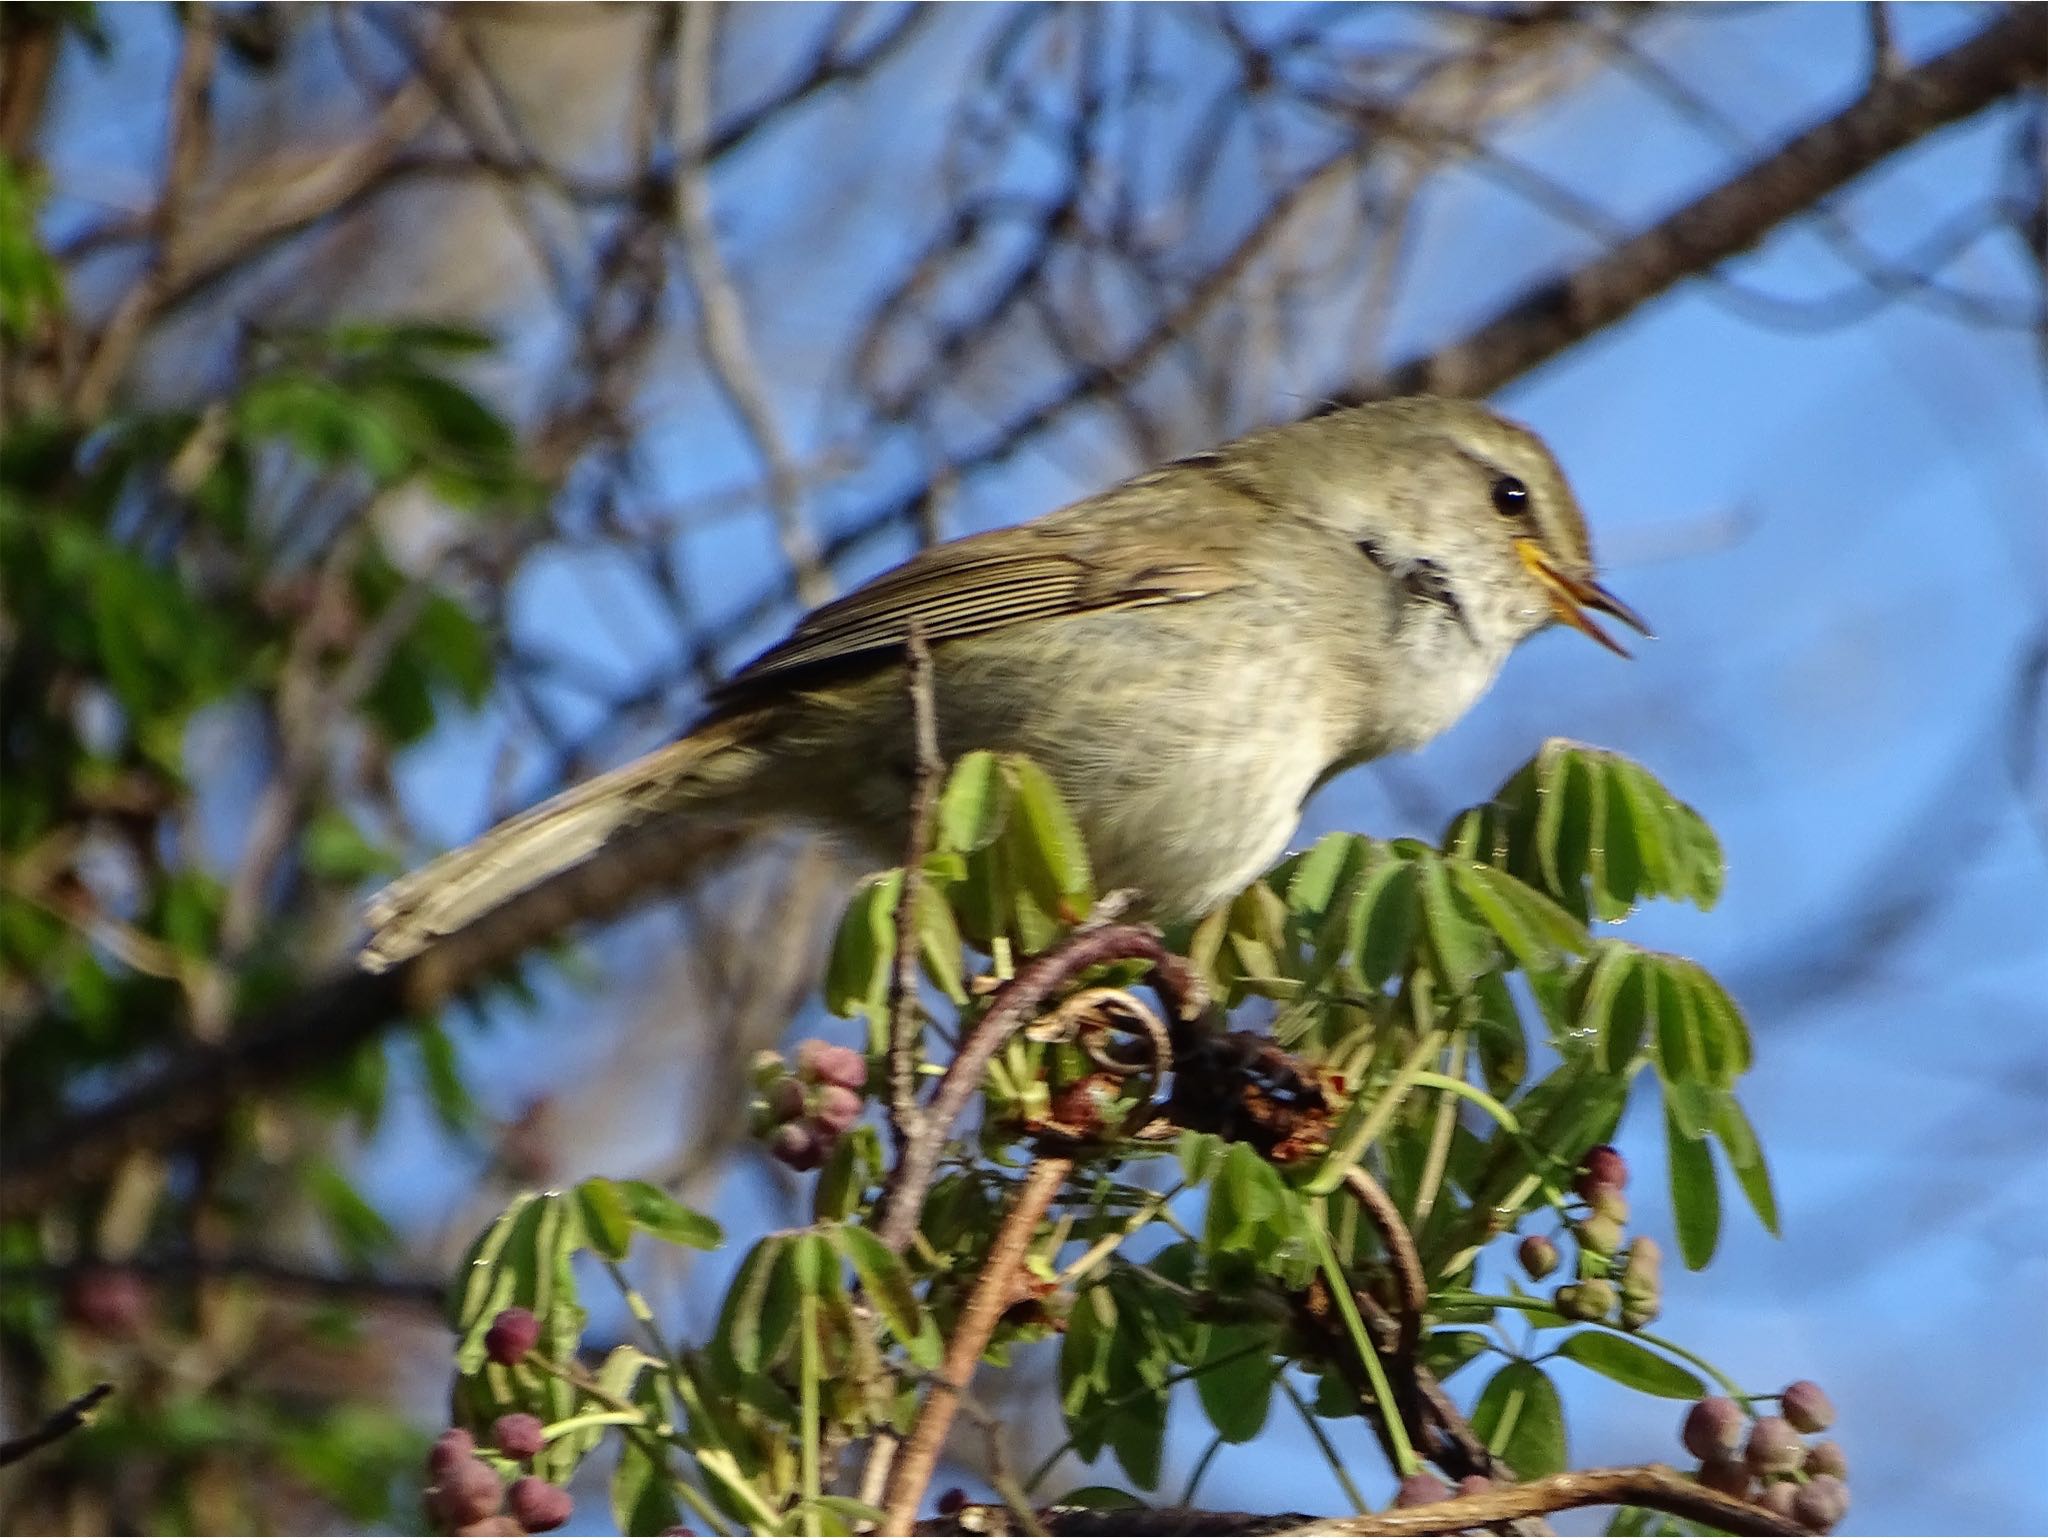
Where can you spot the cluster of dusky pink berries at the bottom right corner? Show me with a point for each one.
(1768, 1459)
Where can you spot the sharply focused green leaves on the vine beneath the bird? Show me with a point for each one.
(1482, 1035)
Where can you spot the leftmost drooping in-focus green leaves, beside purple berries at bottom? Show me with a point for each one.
(800, 1347)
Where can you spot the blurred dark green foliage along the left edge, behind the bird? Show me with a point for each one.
(171, 574)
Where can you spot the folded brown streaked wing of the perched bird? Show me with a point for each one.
(986, 583)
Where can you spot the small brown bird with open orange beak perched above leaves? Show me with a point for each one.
(1189, 656)
